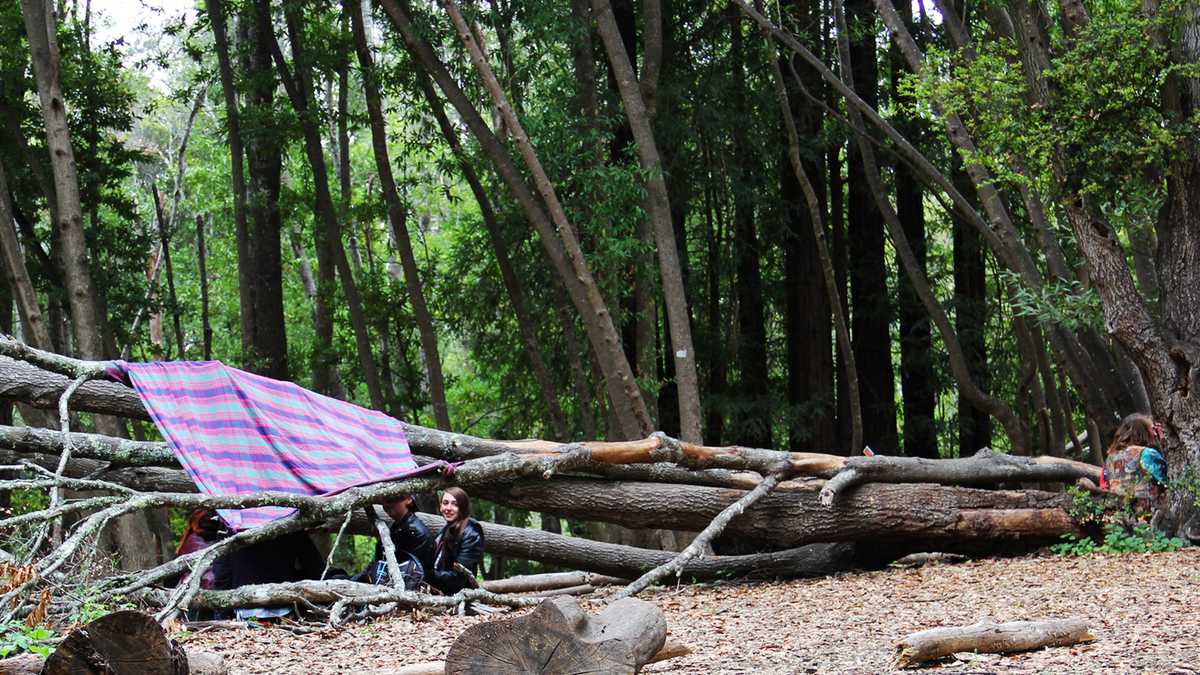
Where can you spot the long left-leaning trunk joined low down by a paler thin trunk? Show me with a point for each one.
(561, 246)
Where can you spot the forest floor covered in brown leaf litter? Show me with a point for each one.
(1142, 608)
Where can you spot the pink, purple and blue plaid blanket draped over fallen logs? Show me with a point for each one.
(237, 433)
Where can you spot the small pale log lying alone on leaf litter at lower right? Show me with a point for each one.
(989, 638)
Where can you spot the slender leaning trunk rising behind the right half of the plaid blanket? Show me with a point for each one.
(299, 89)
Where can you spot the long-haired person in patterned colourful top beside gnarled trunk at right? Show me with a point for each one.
(1133, 467)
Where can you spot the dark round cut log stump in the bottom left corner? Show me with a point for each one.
(123, 643)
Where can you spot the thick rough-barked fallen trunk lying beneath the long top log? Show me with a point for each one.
(873, 512)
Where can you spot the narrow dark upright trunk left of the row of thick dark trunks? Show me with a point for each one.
(754, 427)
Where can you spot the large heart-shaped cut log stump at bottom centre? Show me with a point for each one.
(561, 638)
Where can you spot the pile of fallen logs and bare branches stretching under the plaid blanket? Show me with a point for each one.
(812, 512)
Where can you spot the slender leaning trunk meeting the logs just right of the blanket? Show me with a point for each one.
(398, 217)
